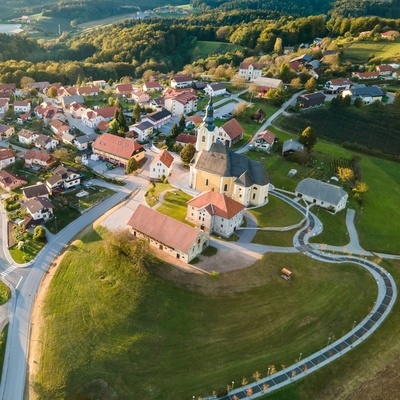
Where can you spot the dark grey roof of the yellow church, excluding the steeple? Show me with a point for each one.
(222, 162)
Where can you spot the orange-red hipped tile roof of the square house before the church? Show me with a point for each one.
(218, 203)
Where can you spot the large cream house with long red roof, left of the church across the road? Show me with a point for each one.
(117, 150)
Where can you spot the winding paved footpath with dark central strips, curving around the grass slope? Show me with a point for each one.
(387, 294)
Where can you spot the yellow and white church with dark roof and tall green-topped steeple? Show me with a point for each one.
(215, 167)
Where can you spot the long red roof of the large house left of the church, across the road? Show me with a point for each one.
(117, 146)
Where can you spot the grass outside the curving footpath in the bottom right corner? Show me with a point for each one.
(369, 372)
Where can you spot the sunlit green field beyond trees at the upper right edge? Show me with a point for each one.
(361, 52)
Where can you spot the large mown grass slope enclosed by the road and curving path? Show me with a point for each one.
(185, 334)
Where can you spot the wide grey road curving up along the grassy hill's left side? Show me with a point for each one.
(13, 379)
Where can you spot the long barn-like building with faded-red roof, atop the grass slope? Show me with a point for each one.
(168, 235)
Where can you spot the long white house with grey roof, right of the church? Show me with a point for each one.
(322, 194)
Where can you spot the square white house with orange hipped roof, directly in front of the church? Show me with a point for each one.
(215, 213)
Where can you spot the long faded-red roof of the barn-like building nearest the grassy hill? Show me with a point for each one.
(164, 229)
